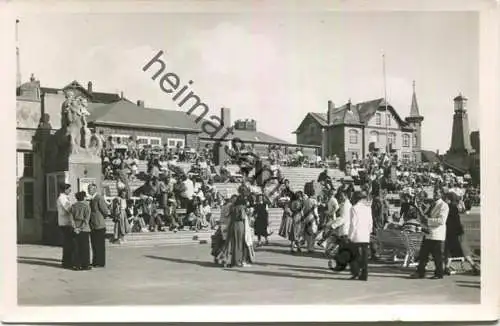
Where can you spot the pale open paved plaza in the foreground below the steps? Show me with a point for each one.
(178, 275)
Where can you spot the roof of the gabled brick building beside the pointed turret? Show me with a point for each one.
(353, 114)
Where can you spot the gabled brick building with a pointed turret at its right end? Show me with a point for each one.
(353, 130)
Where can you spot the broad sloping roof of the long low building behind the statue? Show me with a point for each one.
(126, 113)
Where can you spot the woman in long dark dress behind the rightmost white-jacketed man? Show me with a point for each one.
(455, 244)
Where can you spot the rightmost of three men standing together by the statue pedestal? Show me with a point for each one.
(98, 212)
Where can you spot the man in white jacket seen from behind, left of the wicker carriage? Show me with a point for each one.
(360, 228)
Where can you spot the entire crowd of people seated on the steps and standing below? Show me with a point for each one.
(353, 211)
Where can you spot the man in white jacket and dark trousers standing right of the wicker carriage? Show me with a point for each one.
(433, 240)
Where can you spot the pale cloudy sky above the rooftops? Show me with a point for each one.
(271, 67)
